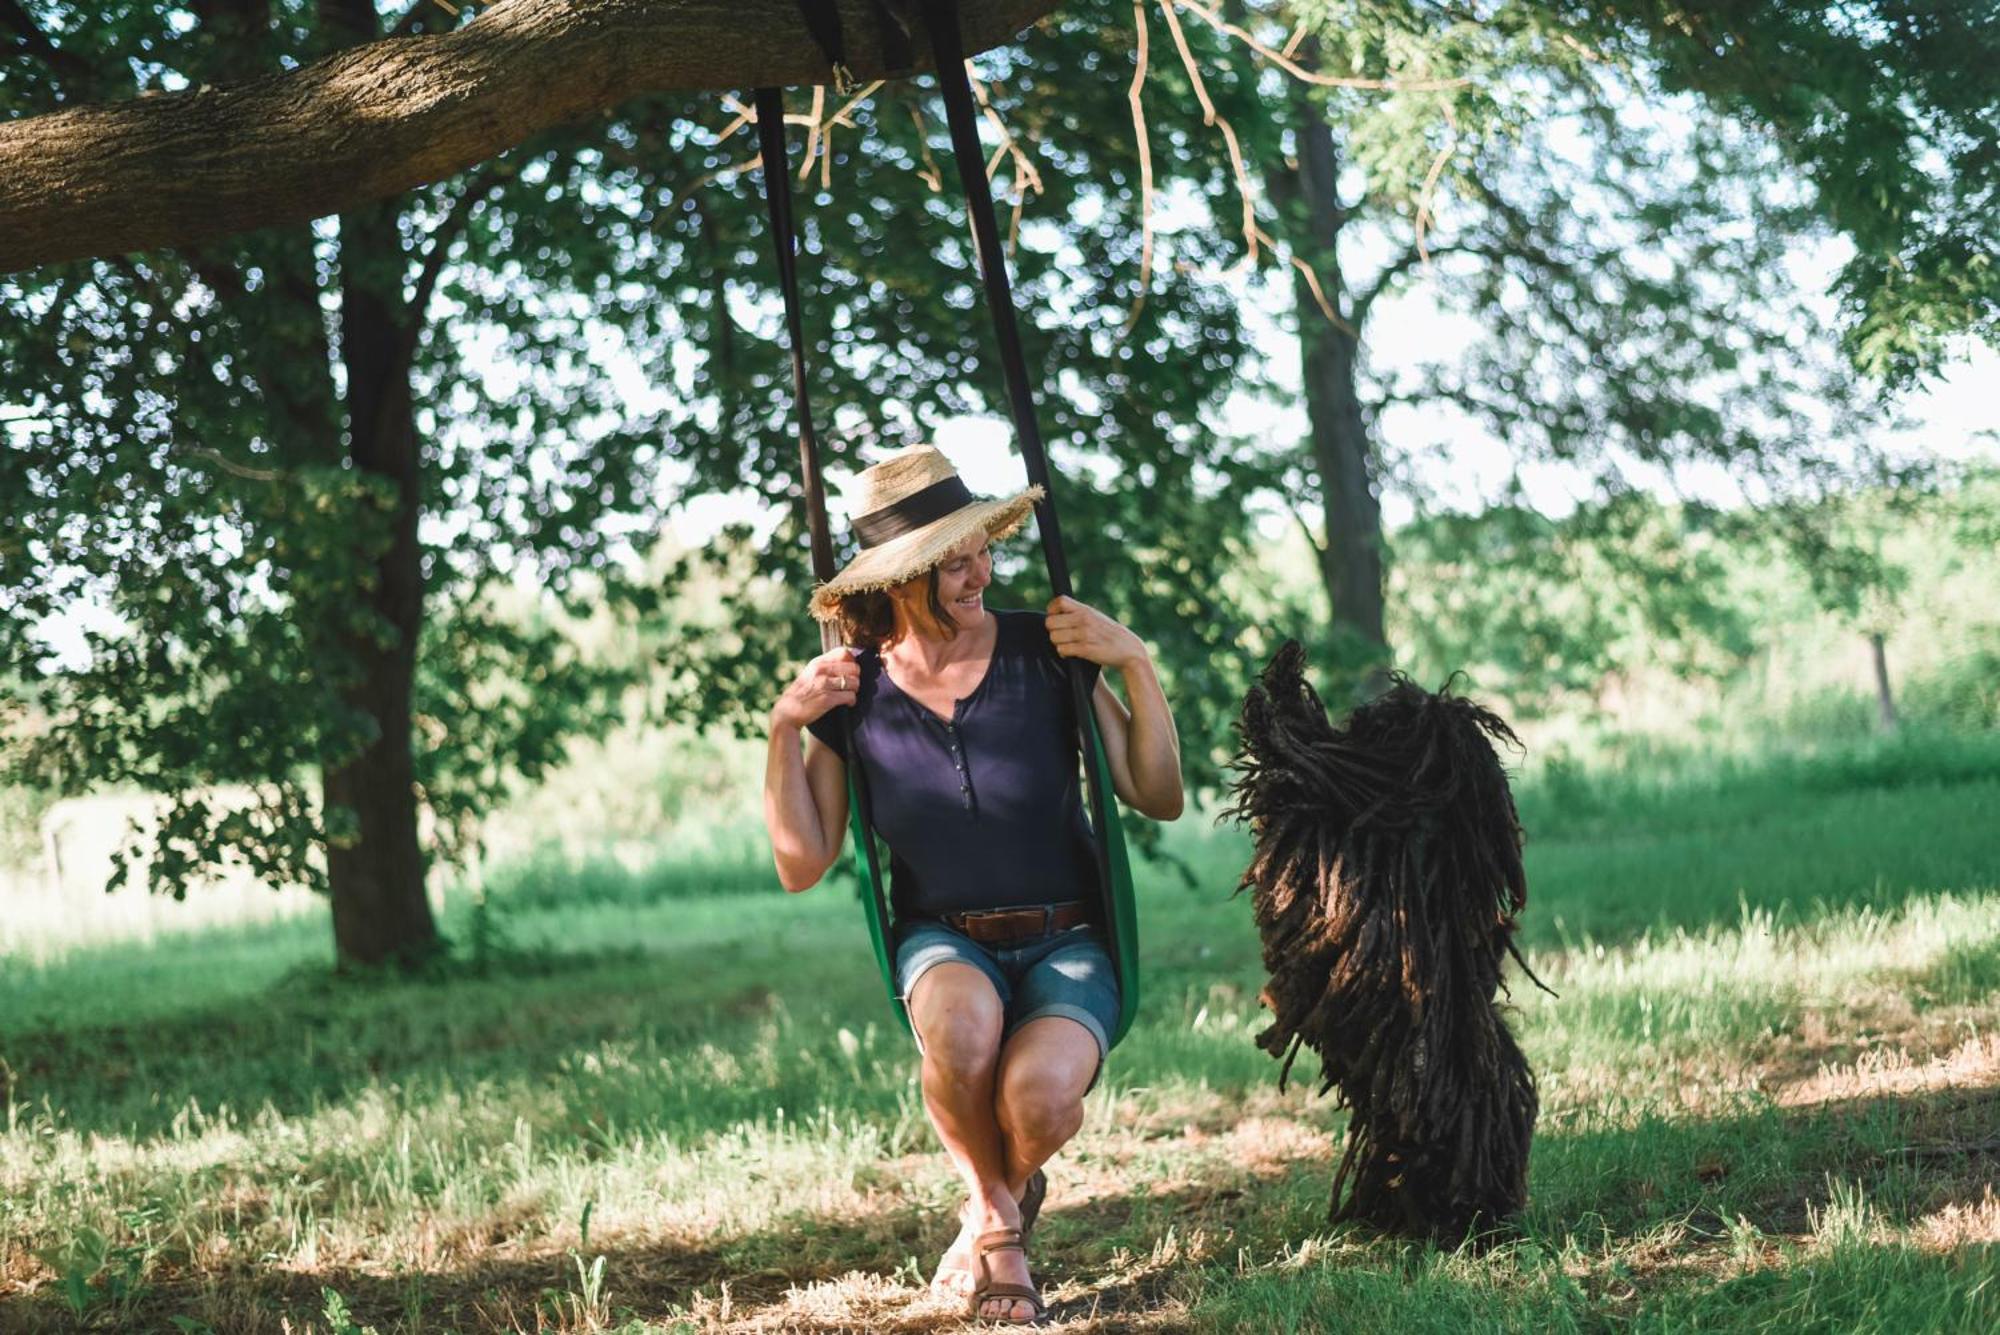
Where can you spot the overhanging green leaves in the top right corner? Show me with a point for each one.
(1883, 111)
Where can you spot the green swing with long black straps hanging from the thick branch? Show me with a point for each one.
(1115, 870)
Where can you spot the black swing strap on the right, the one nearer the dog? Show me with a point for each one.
(963, 117)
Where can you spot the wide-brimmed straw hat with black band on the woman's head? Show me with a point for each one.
(909, 513)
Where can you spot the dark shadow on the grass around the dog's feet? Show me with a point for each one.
(1657, 1212)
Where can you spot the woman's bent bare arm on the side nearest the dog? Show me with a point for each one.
(1141, 744)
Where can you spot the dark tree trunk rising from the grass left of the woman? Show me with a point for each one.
(377, 866)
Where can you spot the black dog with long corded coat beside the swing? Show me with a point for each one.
(1385, 884)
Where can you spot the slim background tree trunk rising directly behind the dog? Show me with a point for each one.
(1351, 557)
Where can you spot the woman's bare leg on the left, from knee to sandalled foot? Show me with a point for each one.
(959, 1016)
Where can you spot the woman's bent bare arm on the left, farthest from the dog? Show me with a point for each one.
(807, 796)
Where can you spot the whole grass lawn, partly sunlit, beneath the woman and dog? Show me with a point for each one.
(1771, 1100)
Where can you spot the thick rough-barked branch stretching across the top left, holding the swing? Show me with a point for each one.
(399, 113)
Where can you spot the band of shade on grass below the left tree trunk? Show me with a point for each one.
(315, 1042)
